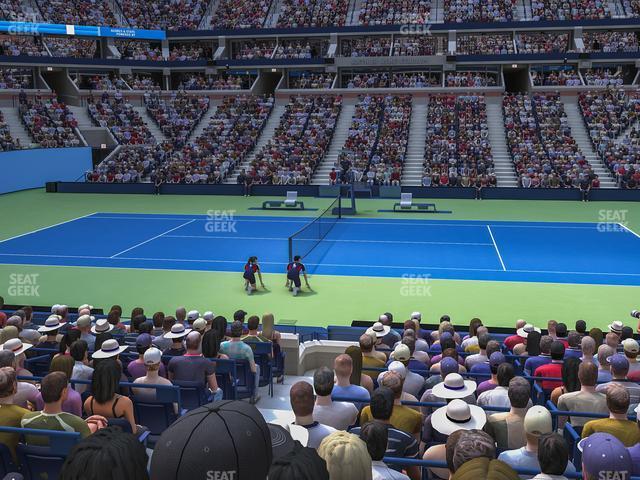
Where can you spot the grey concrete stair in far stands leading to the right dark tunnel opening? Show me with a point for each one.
(504, 169)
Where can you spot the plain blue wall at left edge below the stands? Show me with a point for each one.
(23, 169)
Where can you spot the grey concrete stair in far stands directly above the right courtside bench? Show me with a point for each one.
(414, 162)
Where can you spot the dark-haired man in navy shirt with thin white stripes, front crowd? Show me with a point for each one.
(401, 444)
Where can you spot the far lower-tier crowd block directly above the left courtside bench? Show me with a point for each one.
(299, 143)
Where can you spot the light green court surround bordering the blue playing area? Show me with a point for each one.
(335, 299)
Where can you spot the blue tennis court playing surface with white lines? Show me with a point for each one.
(582, 253)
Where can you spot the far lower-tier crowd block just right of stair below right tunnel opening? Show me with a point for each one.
(541, 146)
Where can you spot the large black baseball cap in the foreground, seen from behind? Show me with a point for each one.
(222, 438)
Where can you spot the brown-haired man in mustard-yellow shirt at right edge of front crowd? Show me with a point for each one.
(617, 424)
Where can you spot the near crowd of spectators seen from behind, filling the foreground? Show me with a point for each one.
(491, 405)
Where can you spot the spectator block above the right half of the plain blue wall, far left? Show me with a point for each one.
(49, 122)
